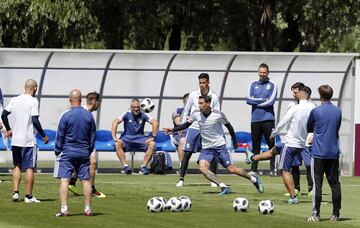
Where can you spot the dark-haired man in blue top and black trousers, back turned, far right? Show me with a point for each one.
(325, 122)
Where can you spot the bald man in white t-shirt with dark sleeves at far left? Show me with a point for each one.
(25, 115)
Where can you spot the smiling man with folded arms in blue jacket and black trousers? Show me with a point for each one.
(262, 96)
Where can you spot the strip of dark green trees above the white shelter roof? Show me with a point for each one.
(240, 25)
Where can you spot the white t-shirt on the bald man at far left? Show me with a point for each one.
(22, 108)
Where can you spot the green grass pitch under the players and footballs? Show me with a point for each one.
(125, 204)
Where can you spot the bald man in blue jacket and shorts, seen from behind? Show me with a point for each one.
(75, 141)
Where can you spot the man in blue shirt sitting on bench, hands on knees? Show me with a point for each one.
(133, 138)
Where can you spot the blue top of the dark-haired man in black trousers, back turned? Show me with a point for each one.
(325, 121)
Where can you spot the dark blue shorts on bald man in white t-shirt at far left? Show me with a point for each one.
(24, 157)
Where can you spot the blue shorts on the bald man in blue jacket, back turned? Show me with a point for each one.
(68, 163)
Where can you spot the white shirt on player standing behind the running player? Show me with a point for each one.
(193, 104)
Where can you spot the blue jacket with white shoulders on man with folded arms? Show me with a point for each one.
(262, 96)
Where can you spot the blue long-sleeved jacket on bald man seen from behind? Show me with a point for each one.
(76, 132)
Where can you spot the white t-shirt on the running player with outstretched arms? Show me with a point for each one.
(211, 130)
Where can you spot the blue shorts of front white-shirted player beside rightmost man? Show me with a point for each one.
(287, 155)
